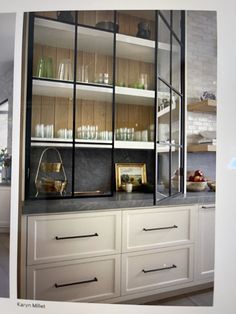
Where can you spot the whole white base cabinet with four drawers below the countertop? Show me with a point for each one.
(118, 255)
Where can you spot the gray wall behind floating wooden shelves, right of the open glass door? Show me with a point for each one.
(201, 76)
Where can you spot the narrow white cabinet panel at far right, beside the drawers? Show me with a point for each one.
(205, 242)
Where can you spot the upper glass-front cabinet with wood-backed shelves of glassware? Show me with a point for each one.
(96, 93)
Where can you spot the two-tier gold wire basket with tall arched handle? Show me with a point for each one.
(47, 184)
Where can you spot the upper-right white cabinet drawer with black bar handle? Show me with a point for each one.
(153, 228)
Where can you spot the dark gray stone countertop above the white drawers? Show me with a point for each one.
(120, 200)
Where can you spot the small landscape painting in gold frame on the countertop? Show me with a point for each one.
(134, 173)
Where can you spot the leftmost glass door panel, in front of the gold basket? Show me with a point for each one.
(50, 108)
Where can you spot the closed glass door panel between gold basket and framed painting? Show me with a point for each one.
(94, 104)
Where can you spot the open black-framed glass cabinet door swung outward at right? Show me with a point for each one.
(170, 102)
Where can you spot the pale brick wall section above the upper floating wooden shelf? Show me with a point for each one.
(201, 53)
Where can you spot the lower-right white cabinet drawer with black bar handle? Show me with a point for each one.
(149, 270)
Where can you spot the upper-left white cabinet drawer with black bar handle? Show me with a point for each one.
(65, 237)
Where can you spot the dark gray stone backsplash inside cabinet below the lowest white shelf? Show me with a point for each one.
(92, 166)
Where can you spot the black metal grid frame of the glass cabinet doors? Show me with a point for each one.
(74, 83)
